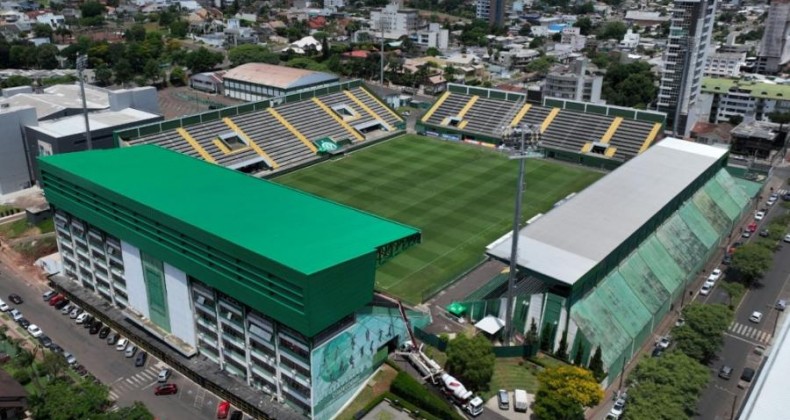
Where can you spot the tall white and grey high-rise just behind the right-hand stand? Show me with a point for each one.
(691, 24)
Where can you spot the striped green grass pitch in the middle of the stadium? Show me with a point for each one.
(460, 196)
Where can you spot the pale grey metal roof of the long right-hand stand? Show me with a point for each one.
(573, 238)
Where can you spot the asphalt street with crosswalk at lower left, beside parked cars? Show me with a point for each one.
(127, 383)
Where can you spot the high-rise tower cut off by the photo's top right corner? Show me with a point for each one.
(774, 48)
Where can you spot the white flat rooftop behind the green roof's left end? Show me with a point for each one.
(75, 124)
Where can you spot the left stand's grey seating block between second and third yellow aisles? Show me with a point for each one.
(273, 137)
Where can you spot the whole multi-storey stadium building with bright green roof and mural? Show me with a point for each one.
(271, 284)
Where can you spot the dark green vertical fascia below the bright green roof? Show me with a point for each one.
(306, 303)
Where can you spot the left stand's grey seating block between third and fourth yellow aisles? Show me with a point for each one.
(312, 121)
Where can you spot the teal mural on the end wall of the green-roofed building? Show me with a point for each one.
(341, 365)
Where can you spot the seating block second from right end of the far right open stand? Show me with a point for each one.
(571, 130)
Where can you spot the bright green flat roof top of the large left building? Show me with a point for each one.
(294, 228)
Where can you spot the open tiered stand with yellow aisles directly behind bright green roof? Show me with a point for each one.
(271, 135)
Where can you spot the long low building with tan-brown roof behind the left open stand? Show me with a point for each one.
(258, 81)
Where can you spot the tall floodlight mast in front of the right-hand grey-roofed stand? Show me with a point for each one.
(523, 148)
